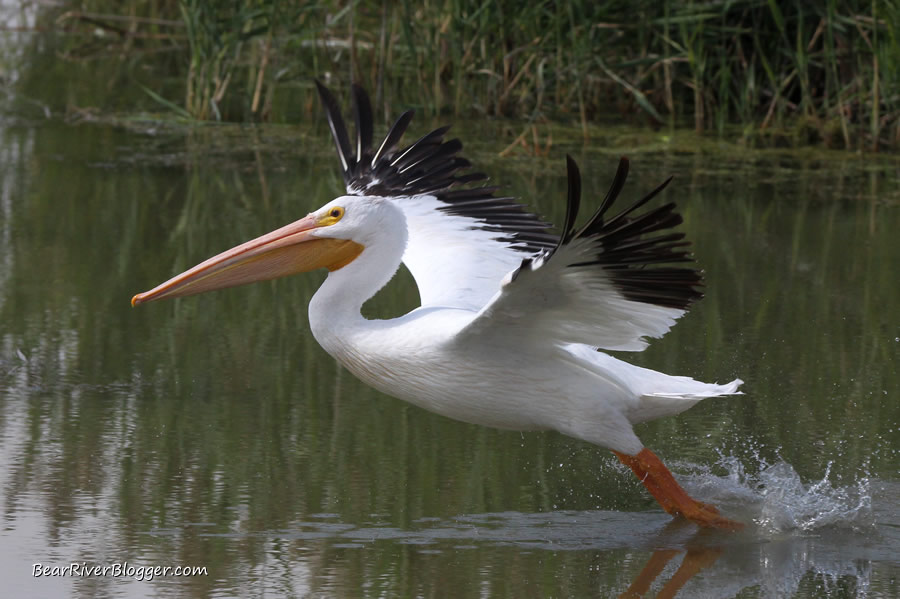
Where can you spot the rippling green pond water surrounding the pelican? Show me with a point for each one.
(212, 431)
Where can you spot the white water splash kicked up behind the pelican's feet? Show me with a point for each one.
(777, 499)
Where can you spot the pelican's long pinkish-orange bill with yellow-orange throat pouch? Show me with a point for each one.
(292, 249)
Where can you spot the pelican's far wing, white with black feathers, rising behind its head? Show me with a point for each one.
(462, 239)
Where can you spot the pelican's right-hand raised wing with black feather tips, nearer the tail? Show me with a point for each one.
(607, 285)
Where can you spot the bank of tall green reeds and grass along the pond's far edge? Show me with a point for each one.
(789, 74)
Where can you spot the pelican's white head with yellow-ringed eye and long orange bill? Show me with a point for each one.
(331, 237)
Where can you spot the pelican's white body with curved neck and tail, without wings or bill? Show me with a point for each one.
(494, 380)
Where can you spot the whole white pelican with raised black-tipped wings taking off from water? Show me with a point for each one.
(513, 318)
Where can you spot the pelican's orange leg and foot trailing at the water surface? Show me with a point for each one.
(663, 486)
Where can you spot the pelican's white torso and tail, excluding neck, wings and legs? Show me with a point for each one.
(571, 389)
